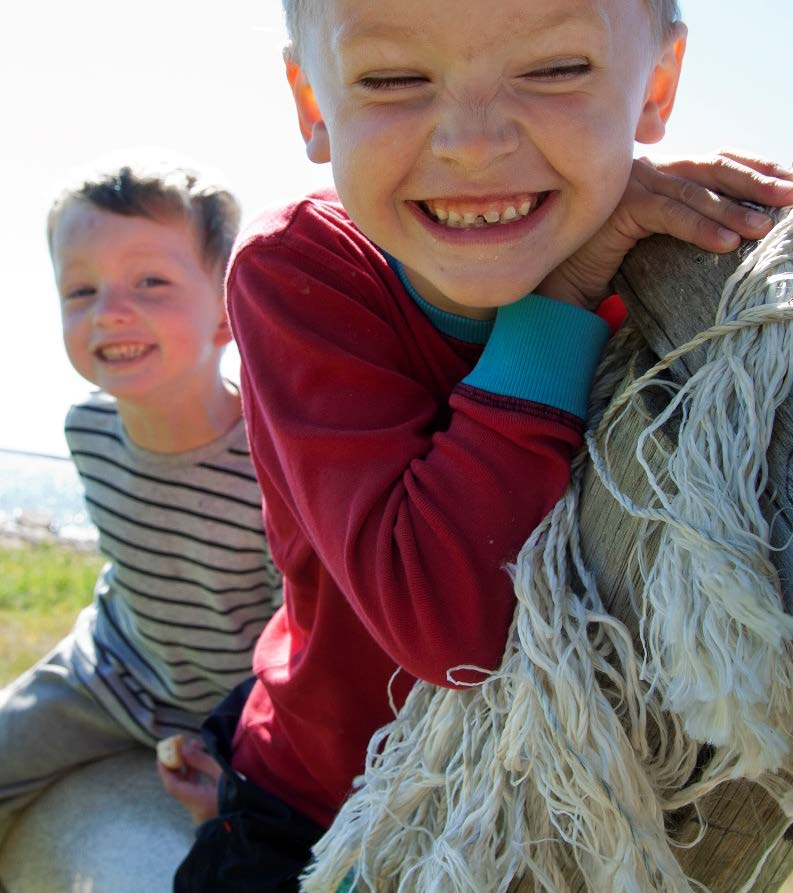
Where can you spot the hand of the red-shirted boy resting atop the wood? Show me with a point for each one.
(695, 200)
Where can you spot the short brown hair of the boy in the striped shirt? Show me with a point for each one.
(157, 189)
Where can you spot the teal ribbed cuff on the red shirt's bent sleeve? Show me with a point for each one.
(542, 350)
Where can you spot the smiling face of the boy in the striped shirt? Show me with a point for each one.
(142, 317)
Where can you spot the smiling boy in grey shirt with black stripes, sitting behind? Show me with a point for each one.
(139, 255)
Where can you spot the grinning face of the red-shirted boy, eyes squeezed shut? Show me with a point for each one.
(440, 117)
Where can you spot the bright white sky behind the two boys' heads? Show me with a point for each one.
(84, 77)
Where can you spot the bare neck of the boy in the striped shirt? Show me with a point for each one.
(186, 423)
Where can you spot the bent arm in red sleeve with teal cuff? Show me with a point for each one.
(413, 504)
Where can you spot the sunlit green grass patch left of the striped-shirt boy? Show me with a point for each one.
(42, 589)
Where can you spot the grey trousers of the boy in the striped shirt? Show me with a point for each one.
(50, 723)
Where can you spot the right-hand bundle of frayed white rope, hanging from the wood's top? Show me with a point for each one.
(718, 637)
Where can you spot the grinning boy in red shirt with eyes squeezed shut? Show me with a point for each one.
(435, 349)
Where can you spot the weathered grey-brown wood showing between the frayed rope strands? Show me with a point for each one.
(672, 291)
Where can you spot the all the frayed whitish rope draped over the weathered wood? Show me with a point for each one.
(561, 765)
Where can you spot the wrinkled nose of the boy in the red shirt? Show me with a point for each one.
(474, 135)
